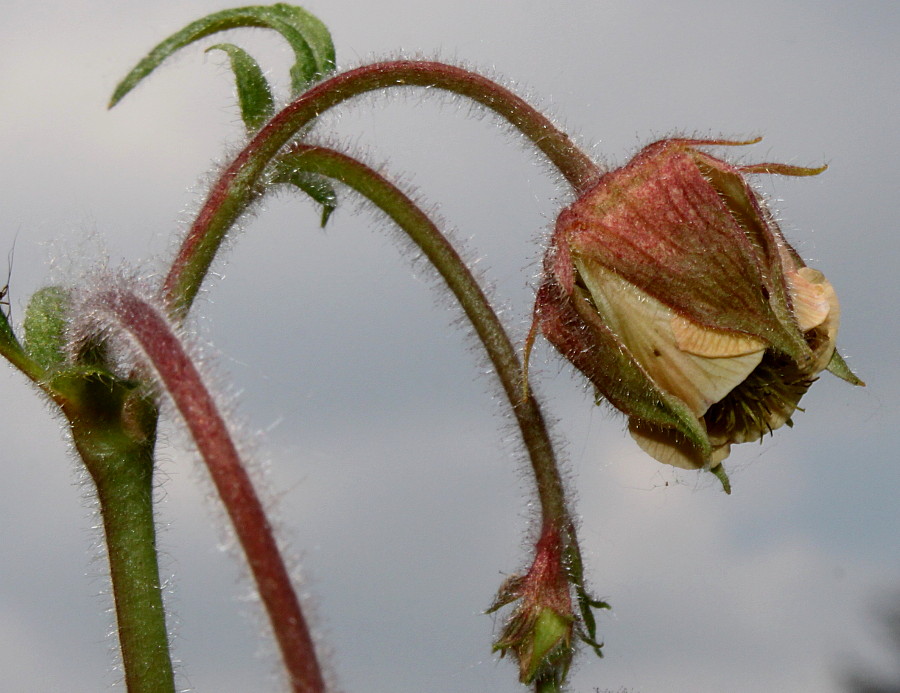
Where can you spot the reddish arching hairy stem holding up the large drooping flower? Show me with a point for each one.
(239, 183)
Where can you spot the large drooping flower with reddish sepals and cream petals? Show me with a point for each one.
(671, 288)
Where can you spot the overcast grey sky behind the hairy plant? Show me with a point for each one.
(393, 470)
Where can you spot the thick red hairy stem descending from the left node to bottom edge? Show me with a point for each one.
(183, 383)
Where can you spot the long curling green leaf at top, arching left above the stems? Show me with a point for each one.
(307, 36)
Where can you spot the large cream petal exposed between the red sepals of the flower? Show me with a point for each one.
(645, 326)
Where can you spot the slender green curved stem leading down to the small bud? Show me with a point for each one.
(464, 286)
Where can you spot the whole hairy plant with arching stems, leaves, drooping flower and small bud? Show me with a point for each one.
(667, 283)
